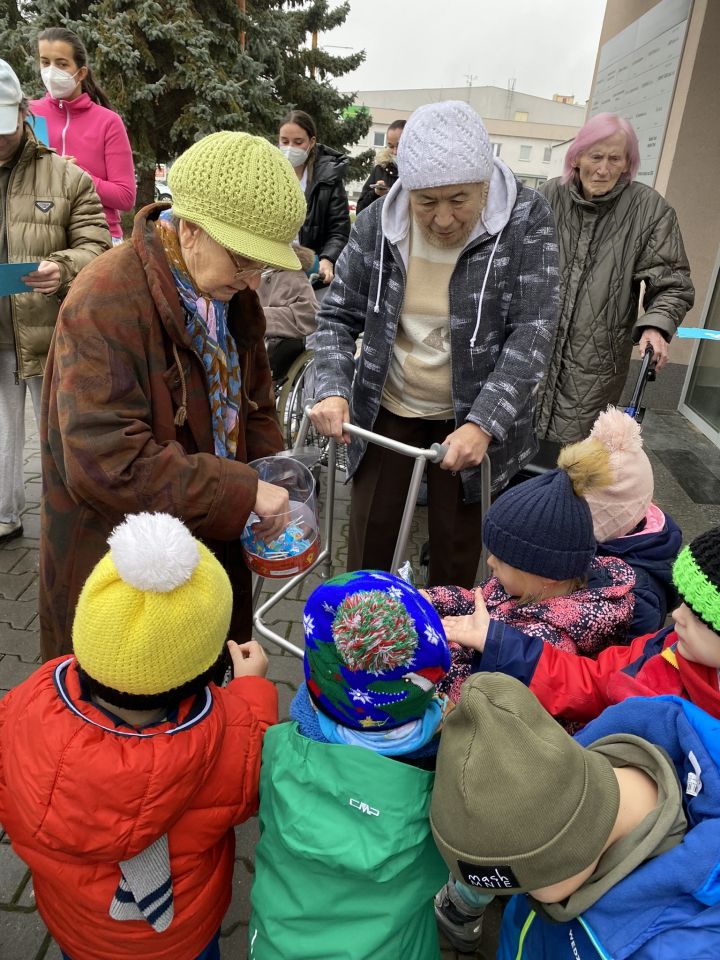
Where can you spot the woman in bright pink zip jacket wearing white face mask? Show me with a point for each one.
(81, 126)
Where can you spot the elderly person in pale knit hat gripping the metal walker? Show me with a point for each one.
(453, 279)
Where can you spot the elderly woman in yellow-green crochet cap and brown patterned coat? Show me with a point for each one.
(160, 393)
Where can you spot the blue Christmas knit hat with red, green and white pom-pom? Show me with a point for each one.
(374, 650)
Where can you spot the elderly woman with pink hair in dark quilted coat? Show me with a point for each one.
(614, 235)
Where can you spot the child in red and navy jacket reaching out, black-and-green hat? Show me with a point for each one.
(683, 660)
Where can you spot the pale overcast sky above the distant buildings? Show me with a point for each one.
(547, 46)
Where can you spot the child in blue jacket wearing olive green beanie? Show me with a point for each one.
(610, 842)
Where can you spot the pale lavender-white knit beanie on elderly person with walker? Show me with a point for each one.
(444, 143)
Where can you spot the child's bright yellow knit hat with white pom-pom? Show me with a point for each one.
(154, 613)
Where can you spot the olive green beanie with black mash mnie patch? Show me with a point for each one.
(517, 803)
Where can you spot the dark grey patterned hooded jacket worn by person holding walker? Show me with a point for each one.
(503, 314)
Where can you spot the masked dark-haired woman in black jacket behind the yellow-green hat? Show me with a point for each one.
(320, 170)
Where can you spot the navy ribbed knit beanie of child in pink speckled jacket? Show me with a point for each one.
(542, 526)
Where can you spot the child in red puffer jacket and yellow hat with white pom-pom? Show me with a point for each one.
(123, 768)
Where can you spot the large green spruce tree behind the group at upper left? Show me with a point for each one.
(177, 70)
